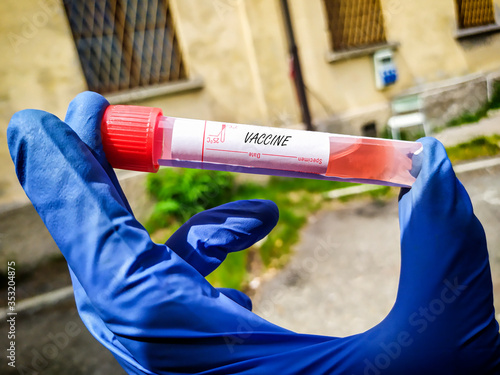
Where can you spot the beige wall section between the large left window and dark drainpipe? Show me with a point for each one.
(236, 48)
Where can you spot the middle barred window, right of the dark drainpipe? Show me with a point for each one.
(354, 23)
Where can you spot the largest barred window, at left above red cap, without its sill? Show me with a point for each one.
(125, 44)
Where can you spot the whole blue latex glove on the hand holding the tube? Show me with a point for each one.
(151, 306)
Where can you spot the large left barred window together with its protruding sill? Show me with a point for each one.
(169, 53)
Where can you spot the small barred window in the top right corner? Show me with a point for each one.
(474, 13)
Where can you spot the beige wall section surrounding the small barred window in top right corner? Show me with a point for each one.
(428, 44)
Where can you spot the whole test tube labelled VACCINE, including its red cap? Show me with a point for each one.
(142, 139)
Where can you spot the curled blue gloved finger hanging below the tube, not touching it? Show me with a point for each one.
(205, 240)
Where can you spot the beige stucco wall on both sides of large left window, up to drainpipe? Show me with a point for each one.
(236, 47)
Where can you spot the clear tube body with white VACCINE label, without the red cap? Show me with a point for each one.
(283, 152)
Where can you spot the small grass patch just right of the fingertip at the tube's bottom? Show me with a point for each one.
(478, 147)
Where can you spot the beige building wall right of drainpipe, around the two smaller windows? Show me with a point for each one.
(428, 52)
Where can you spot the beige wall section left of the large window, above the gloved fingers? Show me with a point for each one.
(38, 69)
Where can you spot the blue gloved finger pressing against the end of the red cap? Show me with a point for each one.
(84, 116)
